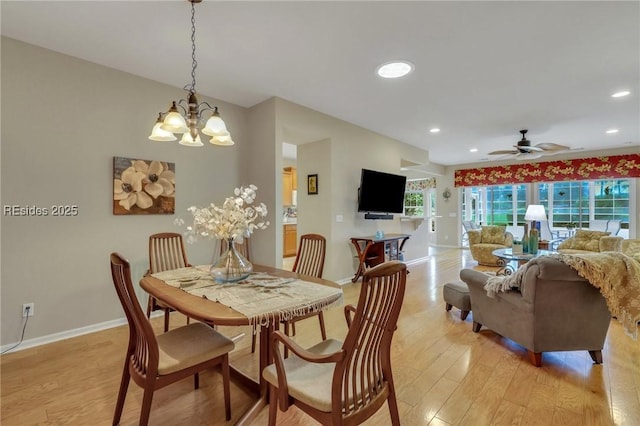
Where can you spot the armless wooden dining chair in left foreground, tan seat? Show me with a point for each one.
(154, 362)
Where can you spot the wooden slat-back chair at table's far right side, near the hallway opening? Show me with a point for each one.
(309, 261)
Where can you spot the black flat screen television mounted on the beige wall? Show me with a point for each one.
(381, 193)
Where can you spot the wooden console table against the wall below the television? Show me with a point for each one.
(372, 251)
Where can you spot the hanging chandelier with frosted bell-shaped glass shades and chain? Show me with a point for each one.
(186, 116)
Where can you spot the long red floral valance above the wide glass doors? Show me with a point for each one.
(618, 166)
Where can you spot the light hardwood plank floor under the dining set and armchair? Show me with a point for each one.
(444, 373)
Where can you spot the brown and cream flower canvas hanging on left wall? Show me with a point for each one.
(143, 186)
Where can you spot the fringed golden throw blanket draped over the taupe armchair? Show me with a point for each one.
(615, 274)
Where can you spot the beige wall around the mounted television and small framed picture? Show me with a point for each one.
(337, 151)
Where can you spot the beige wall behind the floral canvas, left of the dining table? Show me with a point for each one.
(63, 121)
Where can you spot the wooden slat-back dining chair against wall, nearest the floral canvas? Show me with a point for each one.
(166, 251)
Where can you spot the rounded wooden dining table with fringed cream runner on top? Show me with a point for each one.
(267, 297)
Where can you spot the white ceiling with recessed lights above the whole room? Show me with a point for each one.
(483, 70)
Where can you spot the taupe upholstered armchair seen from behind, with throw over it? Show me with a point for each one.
(554, 310)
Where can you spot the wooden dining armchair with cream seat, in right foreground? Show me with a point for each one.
(344, 383)
